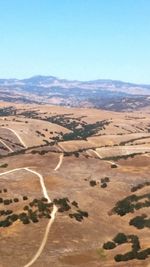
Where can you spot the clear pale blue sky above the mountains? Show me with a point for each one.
(75, 39)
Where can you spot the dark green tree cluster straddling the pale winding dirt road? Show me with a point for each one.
(36, 209)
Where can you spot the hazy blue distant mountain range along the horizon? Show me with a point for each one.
(106, 94)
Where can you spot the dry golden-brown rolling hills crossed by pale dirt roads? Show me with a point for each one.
(56, 152)
